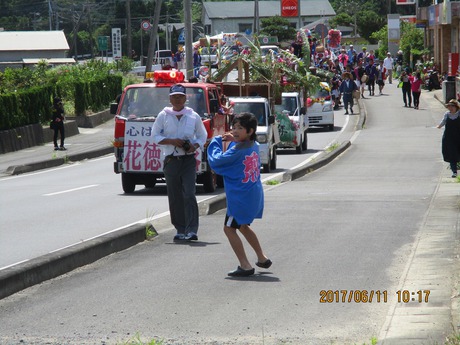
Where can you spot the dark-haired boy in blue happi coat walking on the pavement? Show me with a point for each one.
(240, 167)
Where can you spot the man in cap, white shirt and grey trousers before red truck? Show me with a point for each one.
(180, 130)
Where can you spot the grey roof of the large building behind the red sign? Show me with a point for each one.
(245, 9)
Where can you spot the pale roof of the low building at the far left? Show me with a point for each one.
(32, 40)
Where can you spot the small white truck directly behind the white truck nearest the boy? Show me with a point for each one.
(292, 121)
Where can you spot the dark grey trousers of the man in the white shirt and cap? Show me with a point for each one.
(180, 177)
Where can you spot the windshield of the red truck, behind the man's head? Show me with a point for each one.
(149, 101)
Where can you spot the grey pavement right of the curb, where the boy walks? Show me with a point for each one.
(381, 217)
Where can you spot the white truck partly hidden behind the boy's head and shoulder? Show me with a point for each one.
(267, 129)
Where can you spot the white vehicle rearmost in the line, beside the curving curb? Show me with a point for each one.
(320, 110)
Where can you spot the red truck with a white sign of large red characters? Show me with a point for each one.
(137, 158)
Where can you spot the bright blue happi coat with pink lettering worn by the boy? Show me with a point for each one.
(240, 168)
